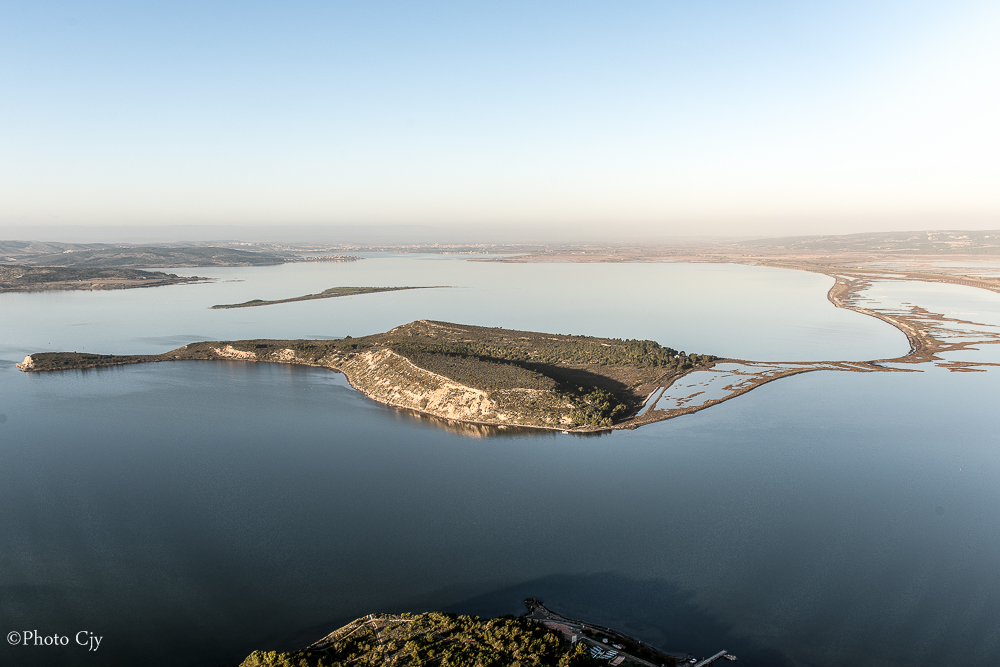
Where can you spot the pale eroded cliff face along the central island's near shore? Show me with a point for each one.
(391, 378)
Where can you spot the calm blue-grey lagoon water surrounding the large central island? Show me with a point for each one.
(190, 512)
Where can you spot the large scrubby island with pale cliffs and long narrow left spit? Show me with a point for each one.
(479, 374)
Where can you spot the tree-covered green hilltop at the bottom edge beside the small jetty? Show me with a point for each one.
(413, 640)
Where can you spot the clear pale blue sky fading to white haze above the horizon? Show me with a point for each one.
(677, 117)
